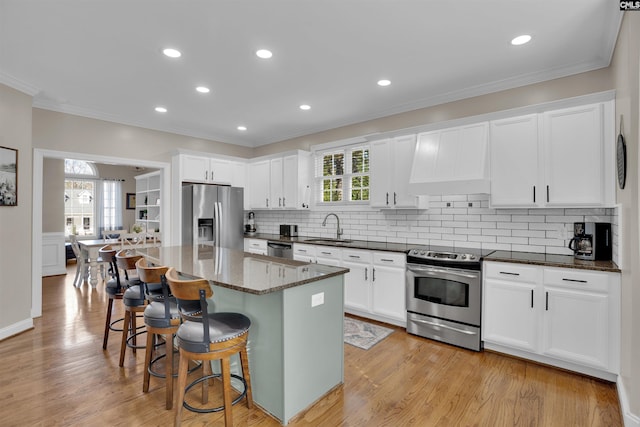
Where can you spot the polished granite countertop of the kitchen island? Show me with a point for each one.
(238, 270)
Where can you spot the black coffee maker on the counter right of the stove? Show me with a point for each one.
(591, 241)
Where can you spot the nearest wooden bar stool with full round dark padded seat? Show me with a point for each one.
(208, 336)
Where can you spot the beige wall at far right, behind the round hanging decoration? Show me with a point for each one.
(625, 67)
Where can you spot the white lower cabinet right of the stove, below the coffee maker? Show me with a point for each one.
(564, 317)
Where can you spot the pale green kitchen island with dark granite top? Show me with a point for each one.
(296, 349)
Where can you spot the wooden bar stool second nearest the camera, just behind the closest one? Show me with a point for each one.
(161, 317)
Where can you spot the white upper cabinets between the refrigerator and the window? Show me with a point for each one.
(279, 182)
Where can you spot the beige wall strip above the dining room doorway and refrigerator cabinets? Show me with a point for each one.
(64, 132)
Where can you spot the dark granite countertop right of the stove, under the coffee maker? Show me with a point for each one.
(549, 260)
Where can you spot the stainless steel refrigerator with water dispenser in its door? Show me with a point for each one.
(212, 215)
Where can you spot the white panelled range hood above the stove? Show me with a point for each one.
(451, 161)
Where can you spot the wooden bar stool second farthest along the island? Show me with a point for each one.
(133, 299)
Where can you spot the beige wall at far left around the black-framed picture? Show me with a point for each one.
(15, 221)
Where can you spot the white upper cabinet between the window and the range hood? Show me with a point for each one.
(390, 161)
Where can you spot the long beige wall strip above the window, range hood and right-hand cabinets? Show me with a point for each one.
(580, 84)
